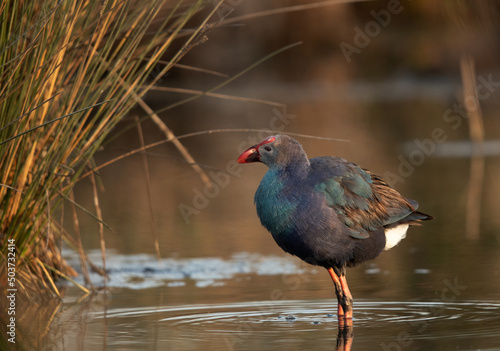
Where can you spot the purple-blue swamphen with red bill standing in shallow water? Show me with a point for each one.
(328, 211)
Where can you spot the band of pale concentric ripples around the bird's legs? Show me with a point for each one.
(292, 314)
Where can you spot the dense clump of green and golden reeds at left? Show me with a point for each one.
(69, 72)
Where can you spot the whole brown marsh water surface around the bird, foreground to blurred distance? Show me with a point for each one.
(223, 284)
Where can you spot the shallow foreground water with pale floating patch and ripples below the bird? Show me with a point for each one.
(254, 302)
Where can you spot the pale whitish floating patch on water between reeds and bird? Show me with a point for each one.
(145, 271)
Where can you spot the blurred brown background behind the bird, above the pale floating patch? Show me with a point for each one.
(386, 100)
